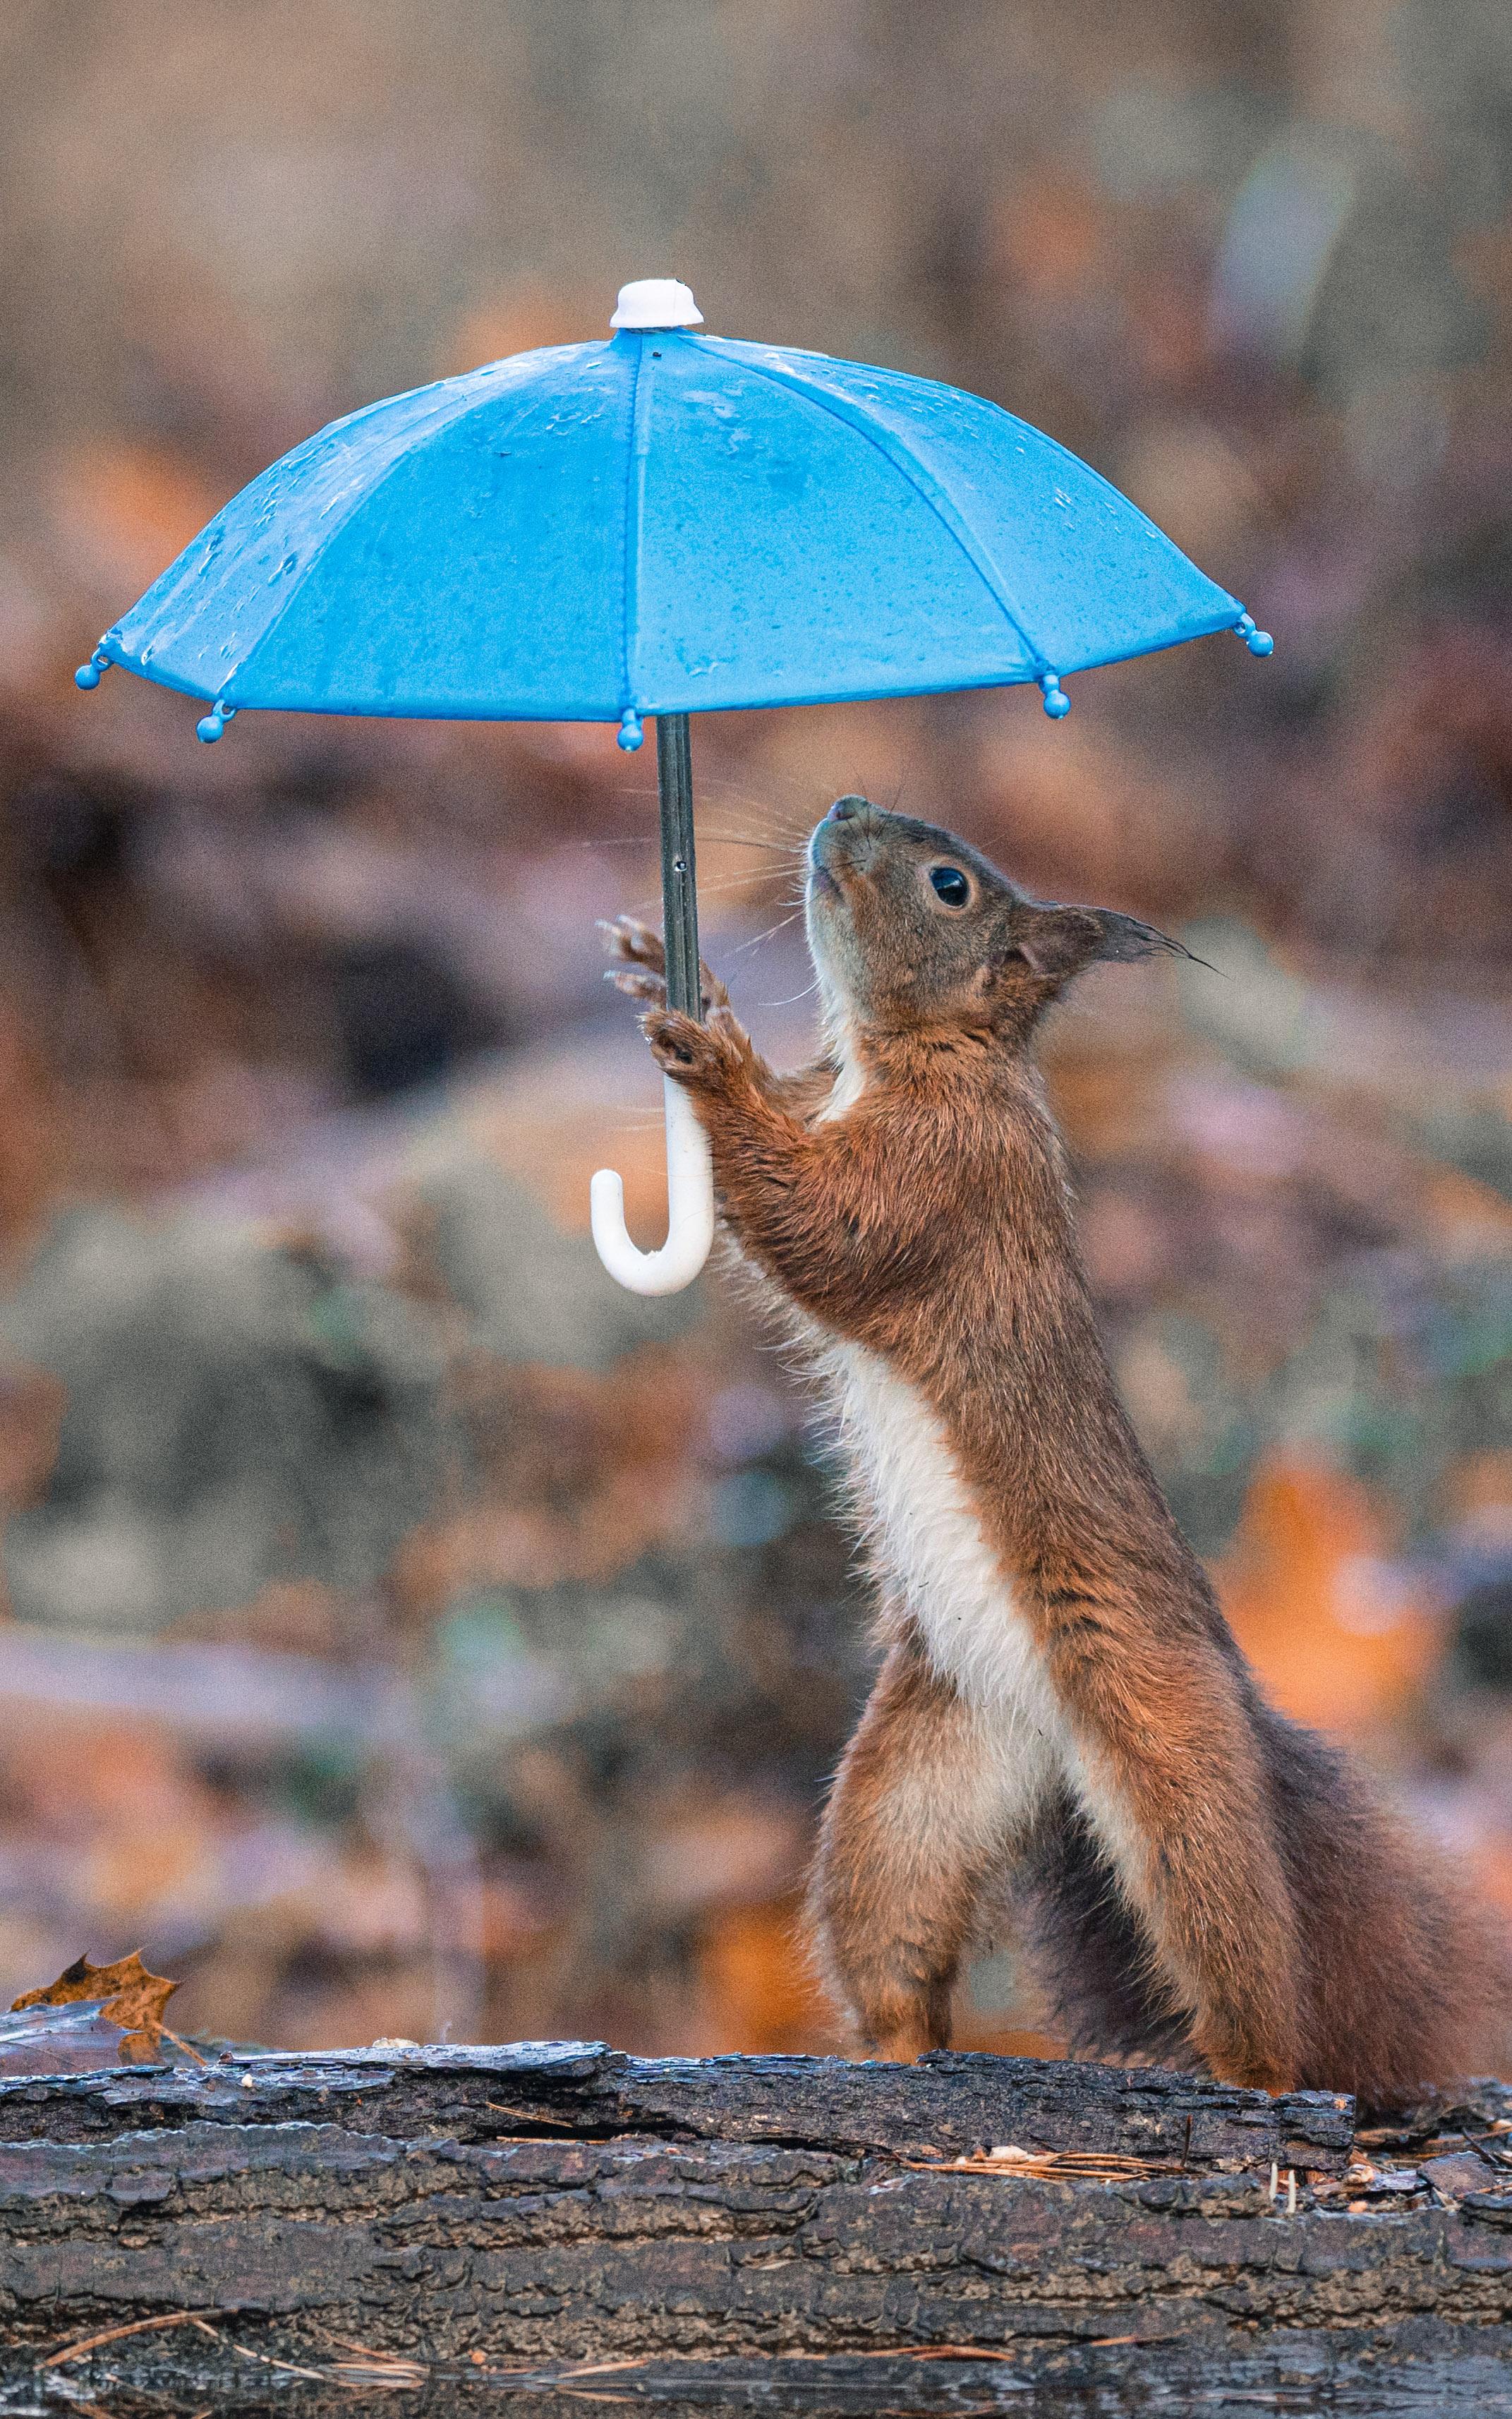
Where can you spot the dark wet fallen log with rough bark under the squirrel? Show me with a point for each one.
(466, 2227)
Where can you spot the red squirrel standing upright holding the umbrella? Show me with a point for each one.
(1063, 1721)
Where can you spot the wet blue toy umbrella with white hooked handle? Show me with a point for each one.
(659, 526)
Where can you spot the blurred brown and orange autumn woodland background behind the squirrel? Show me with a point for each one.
(405, 1632)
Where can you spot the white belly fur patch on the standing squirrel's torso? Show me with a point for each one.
(930, 1542)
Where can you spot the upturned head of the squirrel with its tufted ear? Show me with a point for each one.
(913, 928)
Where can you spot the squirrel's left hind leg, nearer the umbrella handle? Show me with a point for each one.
(925, 1808)
